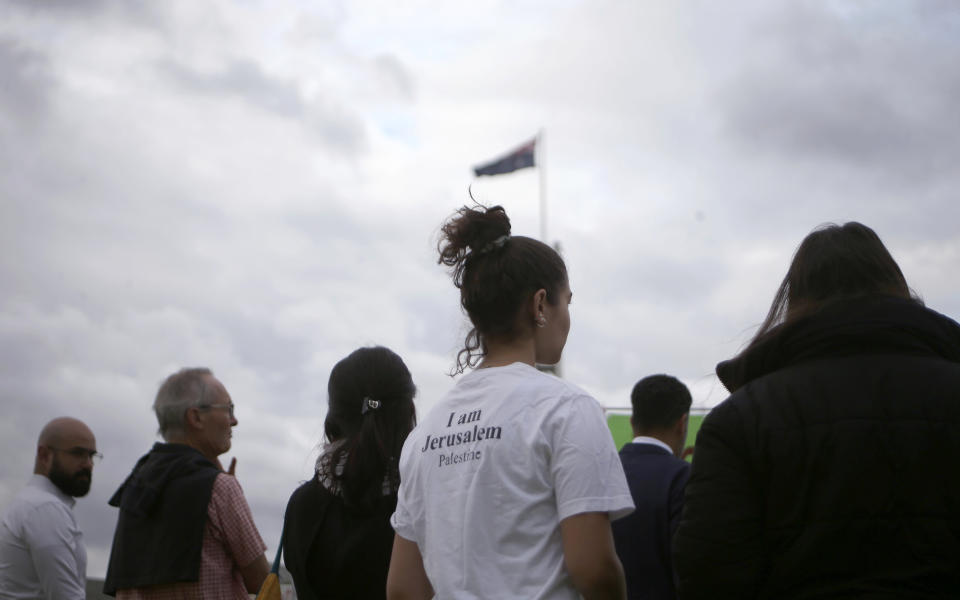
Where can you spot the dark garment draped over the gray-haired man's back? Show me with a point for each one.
(163, 511)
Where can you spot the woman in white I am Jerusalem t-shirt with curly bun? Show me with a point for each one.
(509, 484)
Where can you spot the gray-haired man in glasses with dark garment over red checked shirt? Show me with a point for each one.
(185, 529)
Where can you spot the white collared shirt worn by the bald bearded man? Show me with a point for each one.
(41, 548)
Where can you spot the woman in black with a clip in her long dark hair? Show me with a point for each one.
(336, 532)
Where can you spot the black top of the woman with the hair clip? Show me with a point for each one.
(334, 552)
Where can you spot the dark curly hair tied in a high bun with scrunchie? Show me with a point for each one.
(496, 274)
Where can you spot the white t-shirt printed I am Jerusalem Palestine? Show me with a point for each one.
(487, 477)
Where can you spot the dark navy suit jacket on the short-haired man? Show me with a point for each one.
(657, 479)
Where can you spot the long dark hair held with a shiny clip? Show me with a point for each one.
(370, 414)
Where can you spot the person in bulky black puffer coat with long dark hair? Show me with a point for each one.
(830, 471)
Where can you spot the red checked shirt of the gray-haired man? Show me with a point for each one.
(230, 540)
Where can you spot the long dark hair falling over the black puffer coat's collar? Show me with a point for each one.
(834, 263)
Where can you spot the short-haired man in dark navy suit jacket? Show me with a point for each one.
(661, 407)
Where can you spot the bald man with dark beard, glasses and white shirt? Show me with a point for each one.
(41, 548)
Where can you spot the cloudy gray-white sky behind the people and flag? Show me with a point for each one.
(257, 187)
